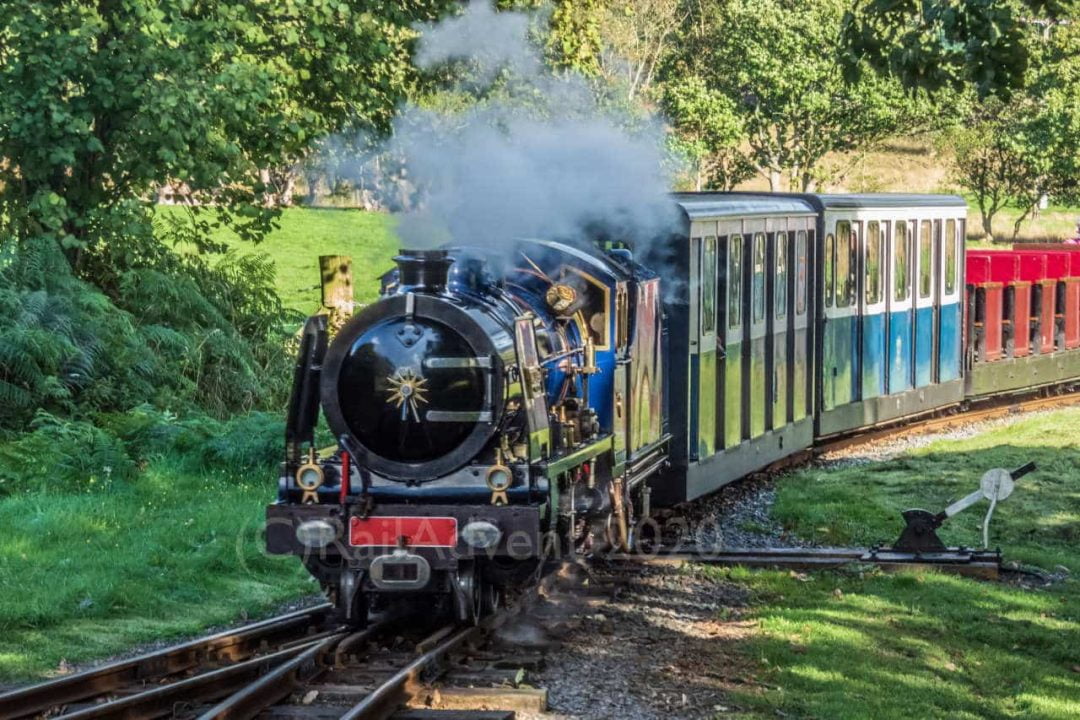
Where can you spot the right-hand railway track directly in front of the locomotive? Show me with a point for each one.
(375, 674)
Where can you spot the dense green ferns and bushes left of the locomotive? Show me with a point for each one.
(156, 328)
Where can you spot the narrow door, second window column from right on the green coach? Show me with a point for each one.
(779, 302)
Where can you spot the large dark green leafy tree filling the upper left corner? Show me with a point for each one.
(102, 102)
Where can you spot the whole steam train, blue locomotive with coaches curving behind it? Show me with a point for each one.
(497, 409)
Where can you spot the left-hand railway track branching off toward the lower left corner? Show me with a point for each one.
(173, 674)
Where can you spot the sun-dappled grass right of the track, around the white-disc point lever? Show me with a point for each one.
(925, 645)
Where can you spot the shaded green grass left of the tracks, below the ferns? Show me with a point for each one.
(89, 576)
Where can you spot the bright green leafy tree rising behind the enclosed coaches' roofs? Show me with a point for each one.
(778, 64)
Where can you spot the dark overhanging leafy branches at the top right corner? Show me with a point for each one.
(943, 44)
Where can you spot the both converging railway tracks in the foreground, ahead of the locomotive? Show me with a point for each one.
(299, 667)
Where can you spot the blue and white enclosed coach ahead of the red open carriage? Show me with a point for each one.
(892, 278)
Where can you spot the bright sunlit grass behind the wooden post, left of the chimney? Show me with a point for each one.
(305, 234)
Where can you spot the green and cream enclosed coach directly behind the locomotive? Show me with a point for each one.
(740, 338)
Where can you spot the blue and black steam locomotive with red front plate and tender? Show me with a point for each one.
(491, 411)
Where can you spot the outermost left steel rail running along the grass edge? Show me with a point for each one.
(227, 645)
